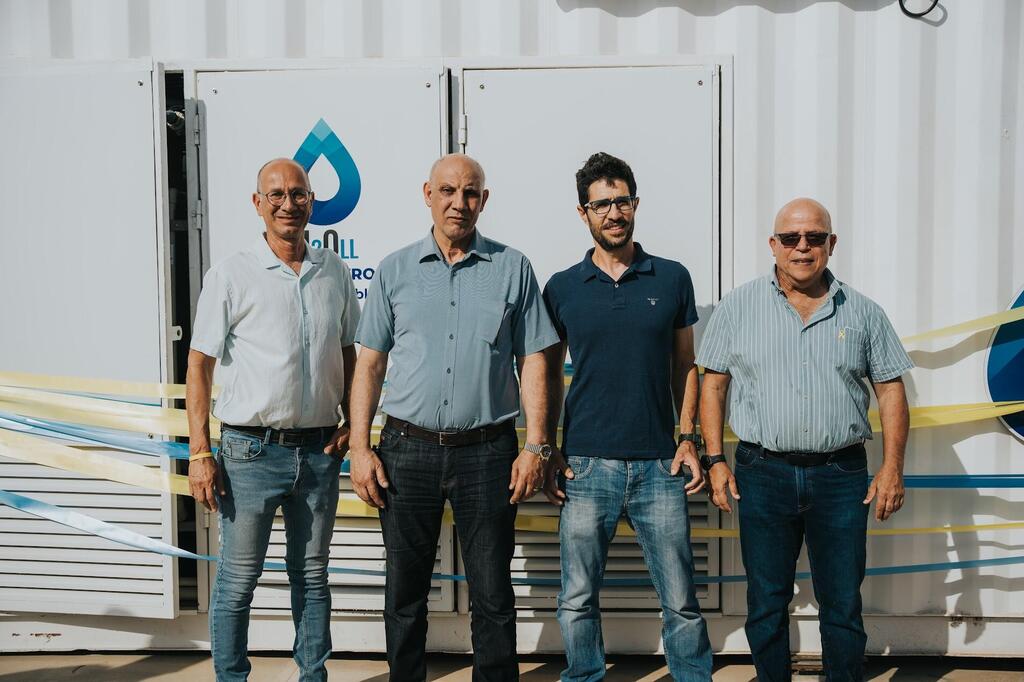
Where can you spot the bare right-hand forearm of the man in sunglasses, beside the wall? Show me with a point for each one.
(895, 415)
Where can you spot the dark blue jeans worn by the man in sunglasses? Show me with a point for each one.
(782, 505)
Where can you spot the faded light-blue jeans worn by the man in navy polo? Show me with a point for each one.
(655, 505)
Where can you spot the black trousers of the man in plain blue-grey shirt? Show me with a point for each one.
(475, 479)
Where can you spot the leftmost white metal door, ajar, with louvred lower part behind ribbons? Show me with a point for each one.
(82, 268)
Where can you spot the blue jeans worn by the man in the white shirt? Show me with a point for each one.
(259, 480)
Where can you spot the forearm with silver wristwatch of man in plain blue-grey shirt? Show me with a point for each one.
(529, 470)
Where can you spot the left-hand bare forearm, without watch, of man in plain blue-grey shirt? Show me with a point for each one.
(367, 473)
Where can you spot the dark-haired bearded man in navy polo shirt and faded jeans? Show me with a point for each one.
(627, 319)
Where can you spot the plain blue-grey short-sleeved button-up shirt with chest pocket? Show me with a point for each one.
(452, 332)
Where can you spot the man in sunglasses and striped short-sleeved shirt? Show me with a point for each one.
(796, 348)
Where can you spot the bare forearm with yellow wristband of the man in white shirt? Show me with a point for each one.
(204, 476)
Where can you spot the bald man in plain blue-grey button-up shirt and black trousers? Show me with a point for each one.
(451, 312)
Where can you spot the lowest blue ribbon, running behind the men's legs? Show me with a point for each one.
(132, 539)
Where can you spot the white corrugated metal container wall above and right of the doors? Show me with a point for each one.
(907, 130)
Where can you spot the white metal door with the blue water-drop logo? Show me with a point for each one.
(380, 129)
